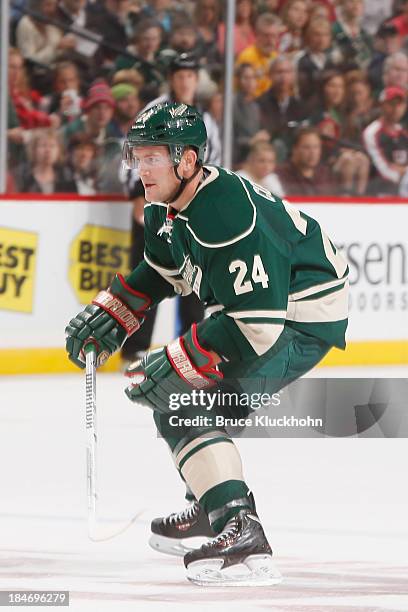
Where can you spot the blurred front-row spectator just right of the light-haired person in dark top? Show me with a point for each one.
(83, 155)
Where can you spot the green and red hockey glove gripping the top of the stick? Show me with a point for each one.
(115, 314)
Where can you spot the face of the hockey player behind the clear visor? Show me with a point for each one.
(156, 172)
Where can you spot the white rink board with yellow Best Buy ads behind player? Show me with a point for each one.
(56, 254)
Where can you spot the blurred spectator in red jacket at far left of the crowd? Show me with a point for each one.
(25, 100)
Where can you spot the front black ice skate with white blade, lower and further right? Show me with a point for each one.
(239, 556)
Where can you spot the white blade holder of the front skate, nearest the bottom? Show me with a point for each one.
(256, 570)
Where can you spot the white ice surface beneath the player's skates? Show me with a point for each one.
(335, 510)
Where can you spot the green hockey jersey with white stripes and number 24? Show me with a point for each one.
(256, 262)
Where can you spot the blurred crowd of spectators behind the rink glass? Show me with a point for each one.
(320, 99)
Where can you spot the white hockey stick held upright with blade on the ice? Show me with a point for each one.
(96, 532)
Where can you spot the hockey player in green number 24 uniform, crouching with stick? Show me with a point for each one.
(278, 292)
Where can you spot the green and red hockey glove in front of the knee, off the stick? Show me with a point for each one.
(178, 367)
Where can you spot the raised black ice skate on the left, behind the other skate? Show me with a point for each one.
(175, 534)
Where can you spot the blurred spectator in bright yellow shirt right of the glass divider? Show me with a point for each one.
(263, 51)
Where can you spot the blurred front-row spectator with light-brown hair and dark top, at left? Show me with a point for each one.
(46, 174)
